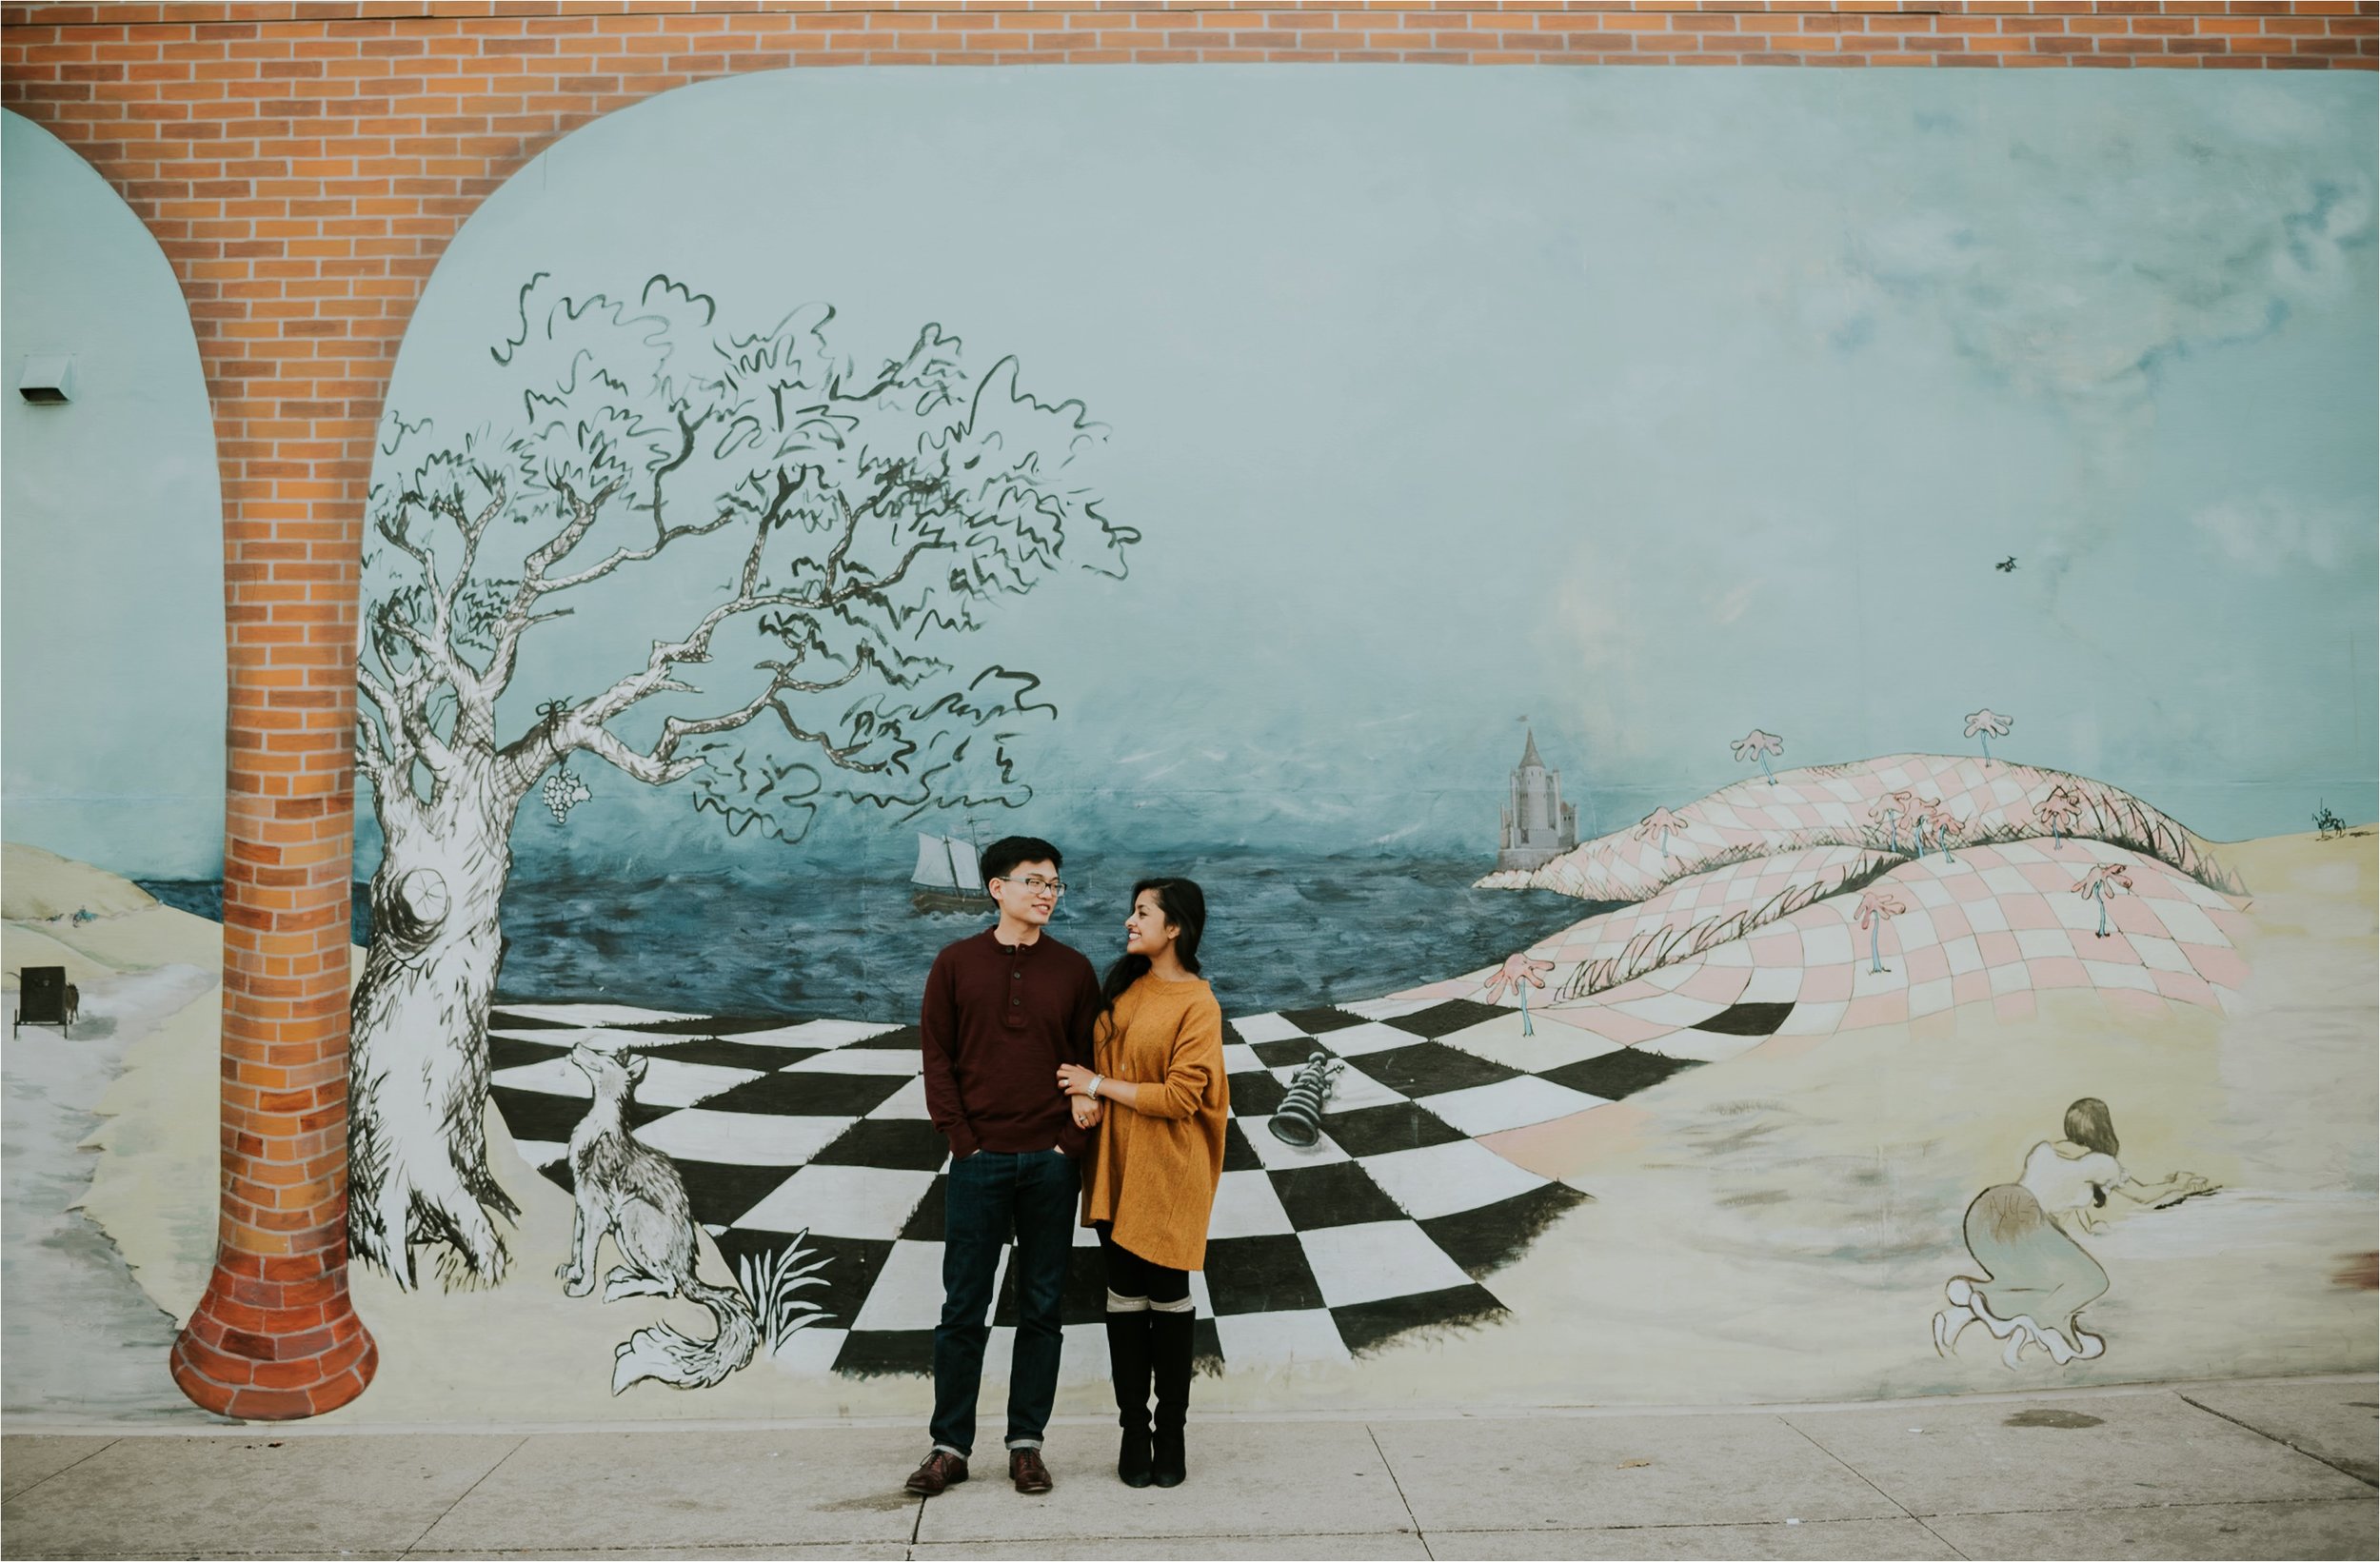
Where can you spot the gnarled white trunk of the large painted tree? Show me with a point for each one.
(418, 1154)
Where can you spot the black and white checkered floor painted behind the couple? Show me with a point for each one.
(1389, 1225)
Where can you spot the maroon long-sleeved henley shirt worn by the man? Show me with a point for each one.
(996, 1025)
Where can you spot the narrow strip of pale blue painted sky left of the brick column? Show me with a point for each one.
(113, 594)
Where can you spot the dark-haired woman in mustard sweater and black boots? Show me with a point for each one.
(1158, 1163)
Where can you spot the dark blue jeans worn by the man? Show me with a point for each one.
(989, 1197)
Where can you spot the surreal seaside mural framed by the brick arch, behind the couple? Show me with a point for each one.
(1698, 1037)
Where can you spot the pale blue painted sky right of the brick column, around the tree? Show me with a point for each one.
(1648, 406)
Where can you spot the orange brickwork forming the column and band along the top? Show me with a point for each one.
(303, 168)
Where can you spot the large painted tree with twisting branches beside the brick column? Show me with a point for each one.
(791, 549)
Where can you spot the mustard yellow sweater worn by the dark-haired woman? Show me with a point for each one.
(1155, 1170)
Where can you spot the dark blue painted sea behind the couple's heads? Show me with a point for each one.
(1282, 932)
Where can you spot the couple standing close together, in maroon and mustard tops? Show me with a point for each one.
(1070, 1099)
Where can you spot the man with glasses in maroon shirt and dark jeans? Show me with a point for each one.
(1003, 1011)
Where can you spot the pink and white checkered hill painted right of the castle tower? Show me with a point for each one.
(1867, 894)
